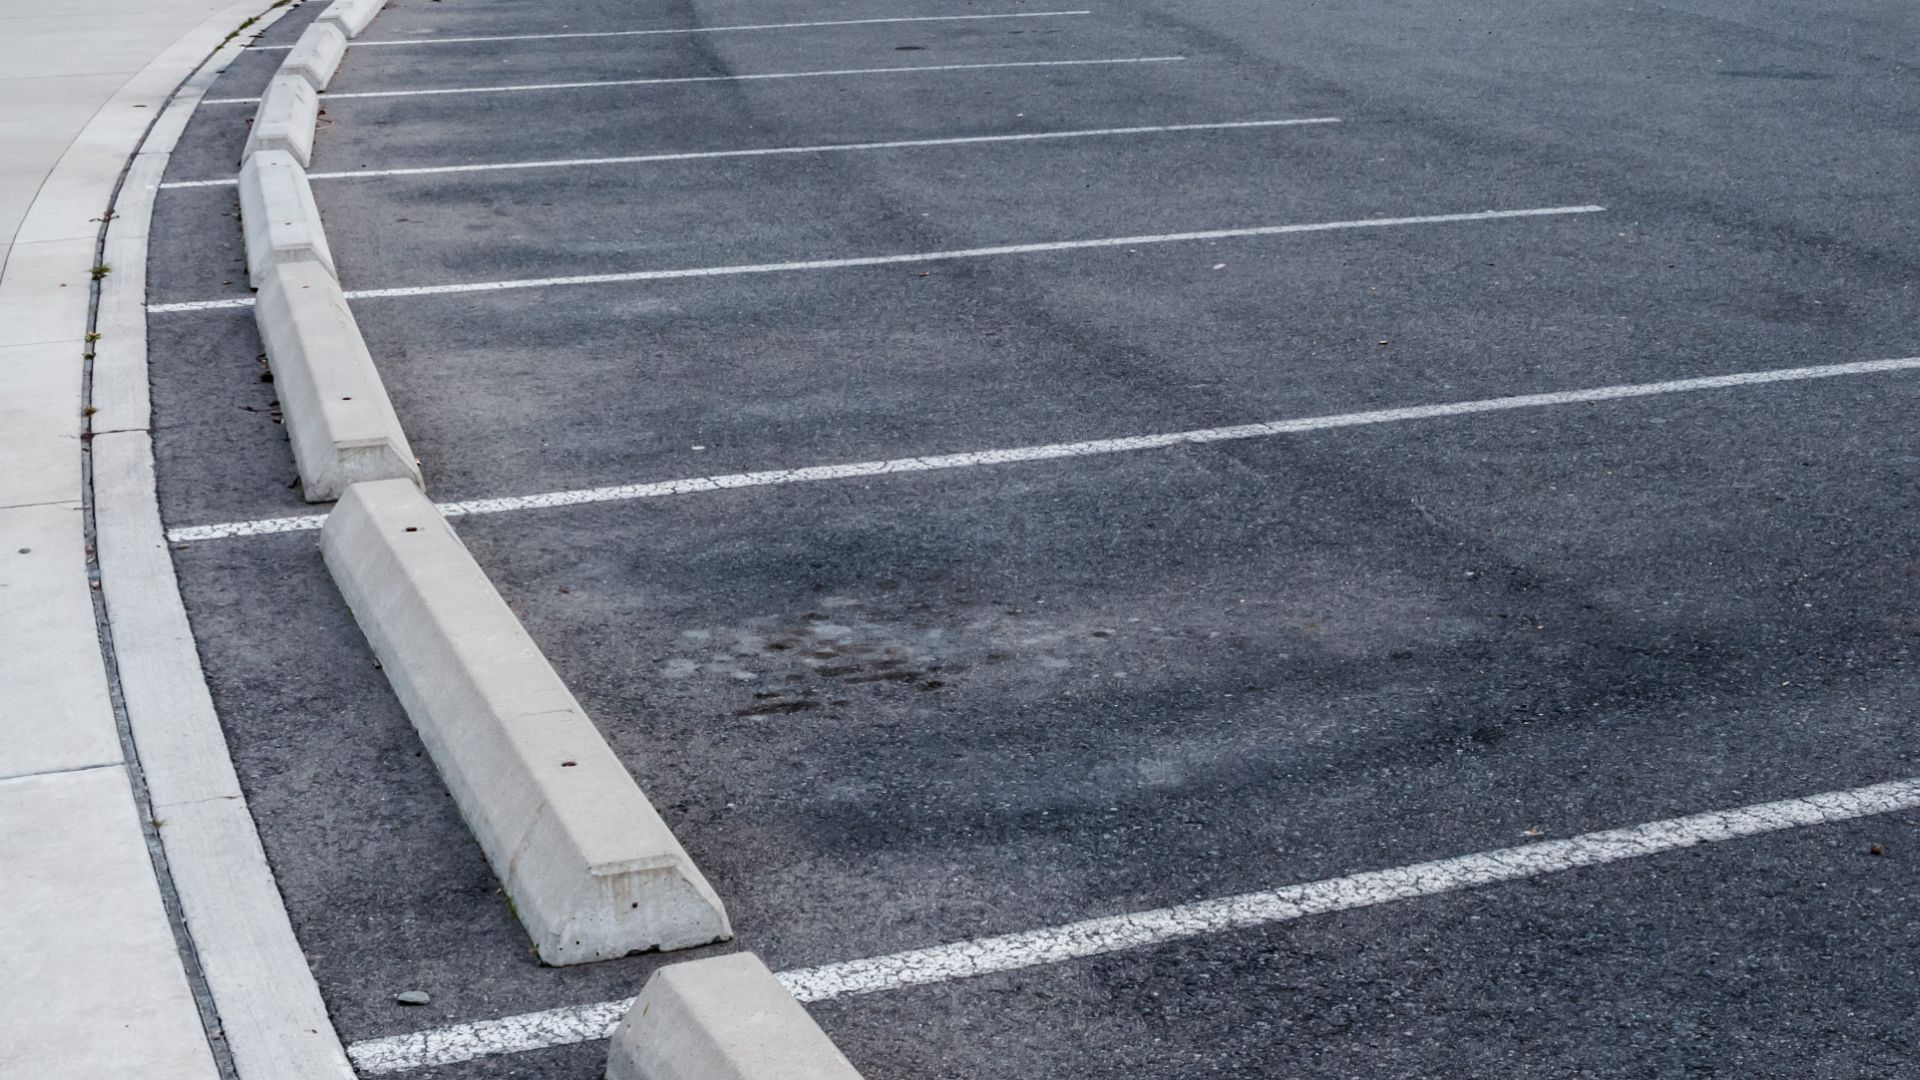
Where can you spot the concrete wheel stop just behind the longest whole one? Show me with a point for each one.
(339, 418)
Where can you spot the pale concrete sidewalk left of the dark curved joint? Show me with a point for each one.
(97, 983)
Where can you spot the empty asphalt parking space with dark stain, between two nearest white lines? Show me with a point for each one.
(1036, 704)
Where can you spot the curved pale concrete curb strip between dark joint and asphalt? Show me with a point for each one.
(264, 996)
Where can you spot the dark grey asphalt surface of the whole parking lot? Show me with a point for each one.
(946, 699)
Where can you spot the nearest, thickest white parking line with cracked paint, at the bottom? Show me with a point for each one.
(1141, 929)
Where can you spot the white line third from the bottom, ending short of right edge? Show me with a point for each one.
(913, 257)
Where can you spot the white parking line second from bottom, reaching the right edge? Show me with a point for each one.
(1051, 453)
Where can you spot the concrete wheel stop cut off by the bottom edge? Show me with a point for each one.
(721, 1019)
